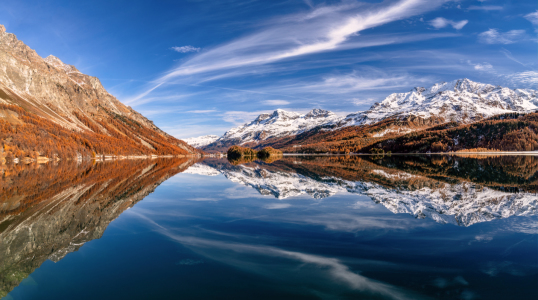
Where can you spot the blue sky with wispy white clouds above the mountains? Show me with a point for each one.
(203, 66)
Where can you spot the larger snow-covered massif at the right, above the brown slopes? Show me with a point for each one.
(461, 100)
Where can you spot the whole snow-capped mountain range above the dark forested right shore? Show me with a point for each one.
(461, 101)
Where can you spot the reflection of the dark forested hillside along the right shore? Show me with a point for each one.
(509, 173)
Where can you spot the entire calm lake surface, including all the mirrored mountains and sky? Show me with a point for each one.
(359, 227)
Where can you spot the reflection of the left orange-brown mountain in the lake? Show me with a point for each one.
(47, 211)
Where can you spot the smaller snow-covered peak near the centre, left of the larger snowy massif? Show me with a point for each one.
(278, 124)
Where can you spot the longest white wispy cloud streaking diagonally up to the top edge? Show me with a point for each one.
(325, 28)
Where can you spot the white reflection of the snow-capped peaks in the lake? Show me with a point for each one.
(461, 204)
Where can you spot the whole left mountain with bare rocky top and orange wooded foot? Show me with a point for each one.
(67, 113)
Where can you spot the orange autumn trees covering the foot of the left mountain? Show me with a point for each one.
(28, 135)
